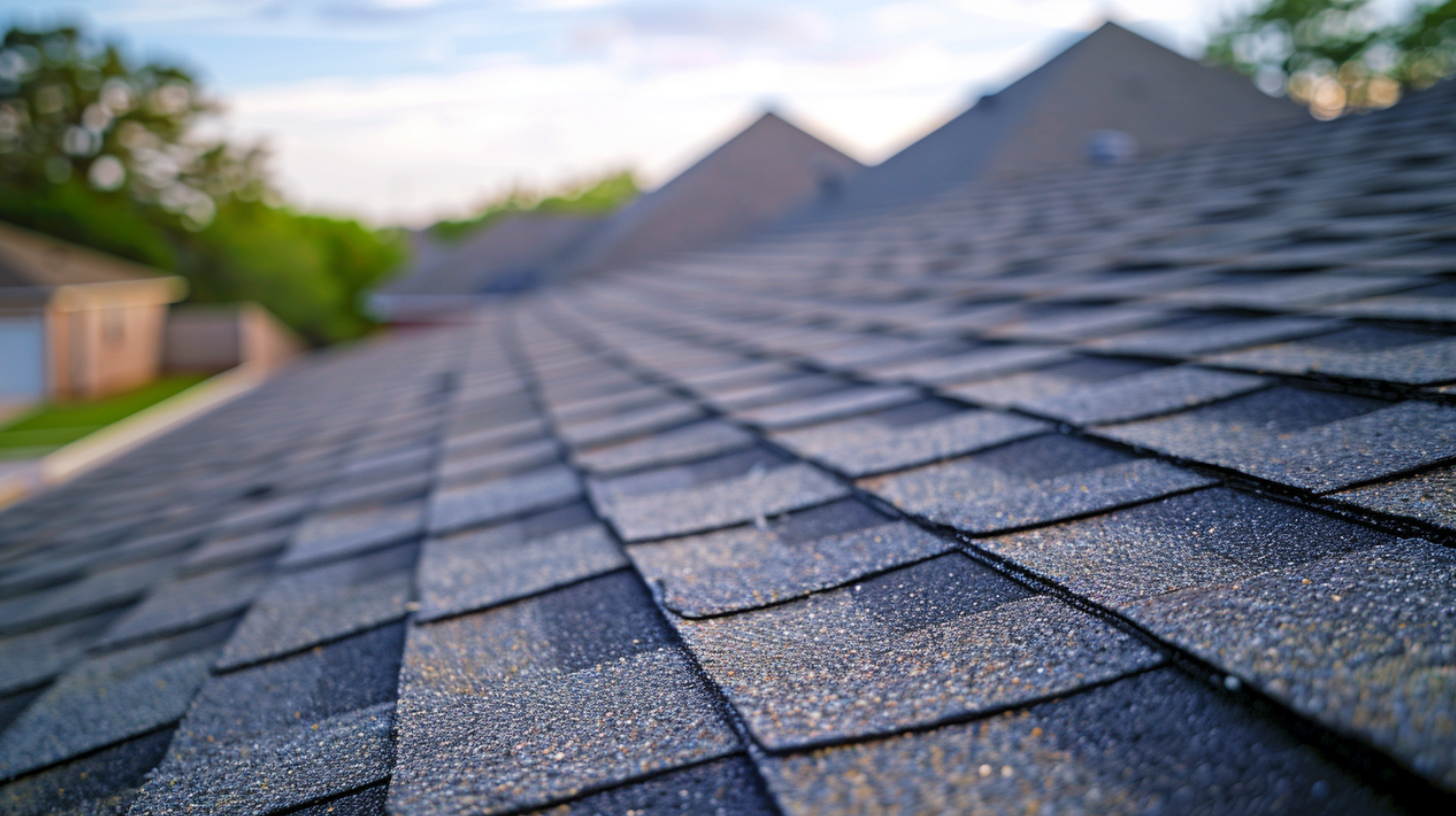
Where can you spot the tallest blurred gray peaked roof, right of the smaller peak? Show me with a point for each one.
(1110, 81)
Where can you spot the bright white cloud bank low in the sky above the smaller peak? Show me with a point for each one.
(411, 149)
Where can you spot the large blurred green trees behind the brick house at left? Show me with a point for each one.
(108, 154)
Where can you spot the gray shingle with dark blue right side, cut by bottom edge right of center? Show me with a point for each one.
(1150, 744)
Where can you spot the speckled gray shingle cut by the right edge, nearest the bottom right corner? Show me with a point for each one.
(1365, 643)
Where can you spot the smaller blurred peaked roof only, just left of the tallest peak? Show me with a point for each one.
(771, 168)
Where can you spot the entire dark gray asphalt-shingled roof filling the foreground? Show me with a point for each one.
(1120, 490)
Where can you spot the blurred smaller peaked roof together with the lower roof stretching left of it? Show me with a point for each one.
(756, 177)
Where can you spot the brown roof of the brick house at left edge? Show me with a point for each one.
(34, 266)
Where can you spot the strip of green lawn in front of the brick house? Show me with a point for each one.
(58, 425)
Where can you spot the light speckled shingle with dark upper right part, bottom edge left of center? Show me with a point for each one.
(545, 700)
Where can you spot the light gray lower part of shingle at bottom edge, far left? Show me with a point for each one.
(272, 772)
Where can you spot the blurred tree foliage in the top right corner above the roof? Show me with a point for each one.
(1340, 56)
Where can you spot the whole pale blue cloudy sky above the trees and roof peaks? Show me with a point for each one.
(403, 111)
